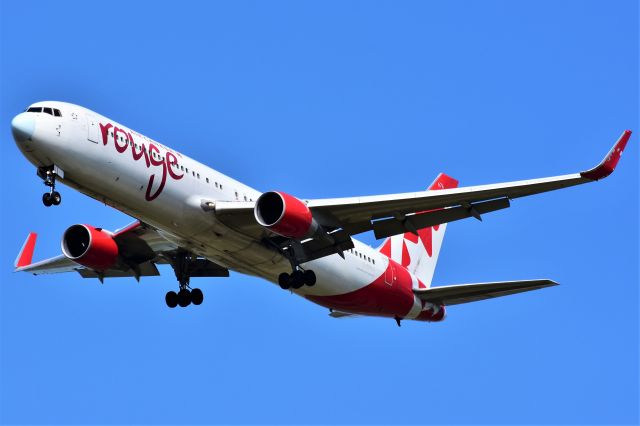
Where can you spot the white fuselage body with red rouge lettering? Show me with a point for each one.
(108, 161)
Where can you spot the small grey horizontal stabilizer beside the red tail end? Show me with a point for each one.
(464, 293)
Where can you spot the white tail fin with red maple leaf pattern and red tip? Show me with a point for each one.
(419, 253)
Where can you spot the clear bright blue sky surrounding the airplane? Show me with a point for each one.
(327, 99)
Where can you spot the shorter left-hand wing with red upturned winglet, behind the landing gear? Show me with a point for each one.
(140, 249)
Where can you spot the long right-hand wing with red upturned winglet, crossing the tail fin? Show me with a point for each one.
(393, 214)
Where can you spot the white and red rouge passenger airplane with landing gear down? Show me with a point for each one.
(204, 224)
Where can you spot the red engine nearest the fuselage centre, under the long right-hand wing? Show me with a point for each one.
(285, 215)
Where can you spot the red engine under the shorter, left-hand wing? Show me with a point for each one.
(90, 247)
